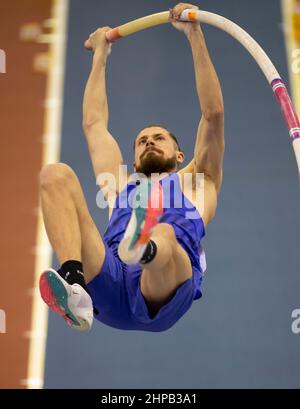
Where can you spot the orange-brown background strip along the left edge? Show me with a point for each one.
(22, 94)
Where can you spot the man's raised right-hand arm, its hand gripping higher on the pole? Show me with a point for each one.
(209, 146)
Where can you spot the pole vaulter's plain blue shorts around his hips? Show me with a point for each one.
(116, 294)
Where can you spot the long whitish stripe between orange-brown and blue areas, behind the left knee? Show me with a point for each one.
(51, 153)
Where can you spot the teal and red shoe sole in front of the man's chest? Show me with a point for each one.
(140, 226)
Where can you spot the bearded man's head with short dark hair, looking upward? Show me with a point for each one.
(156, 152)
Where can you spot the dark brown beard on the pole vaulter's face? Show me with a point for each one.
(154, 162)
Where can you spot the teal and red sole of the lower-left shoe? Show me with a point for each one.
(55, 295)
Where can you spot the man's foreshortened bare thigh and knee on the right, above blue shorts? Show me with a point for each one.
(170, 268)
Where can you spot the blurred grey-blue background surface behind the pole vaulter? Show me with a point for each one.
(239, 333)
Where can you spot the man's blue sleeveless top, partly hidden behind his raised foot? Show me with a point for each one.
(178, 212)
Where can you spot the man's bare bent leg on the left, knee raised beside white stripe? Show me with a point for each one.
(70, 228)
